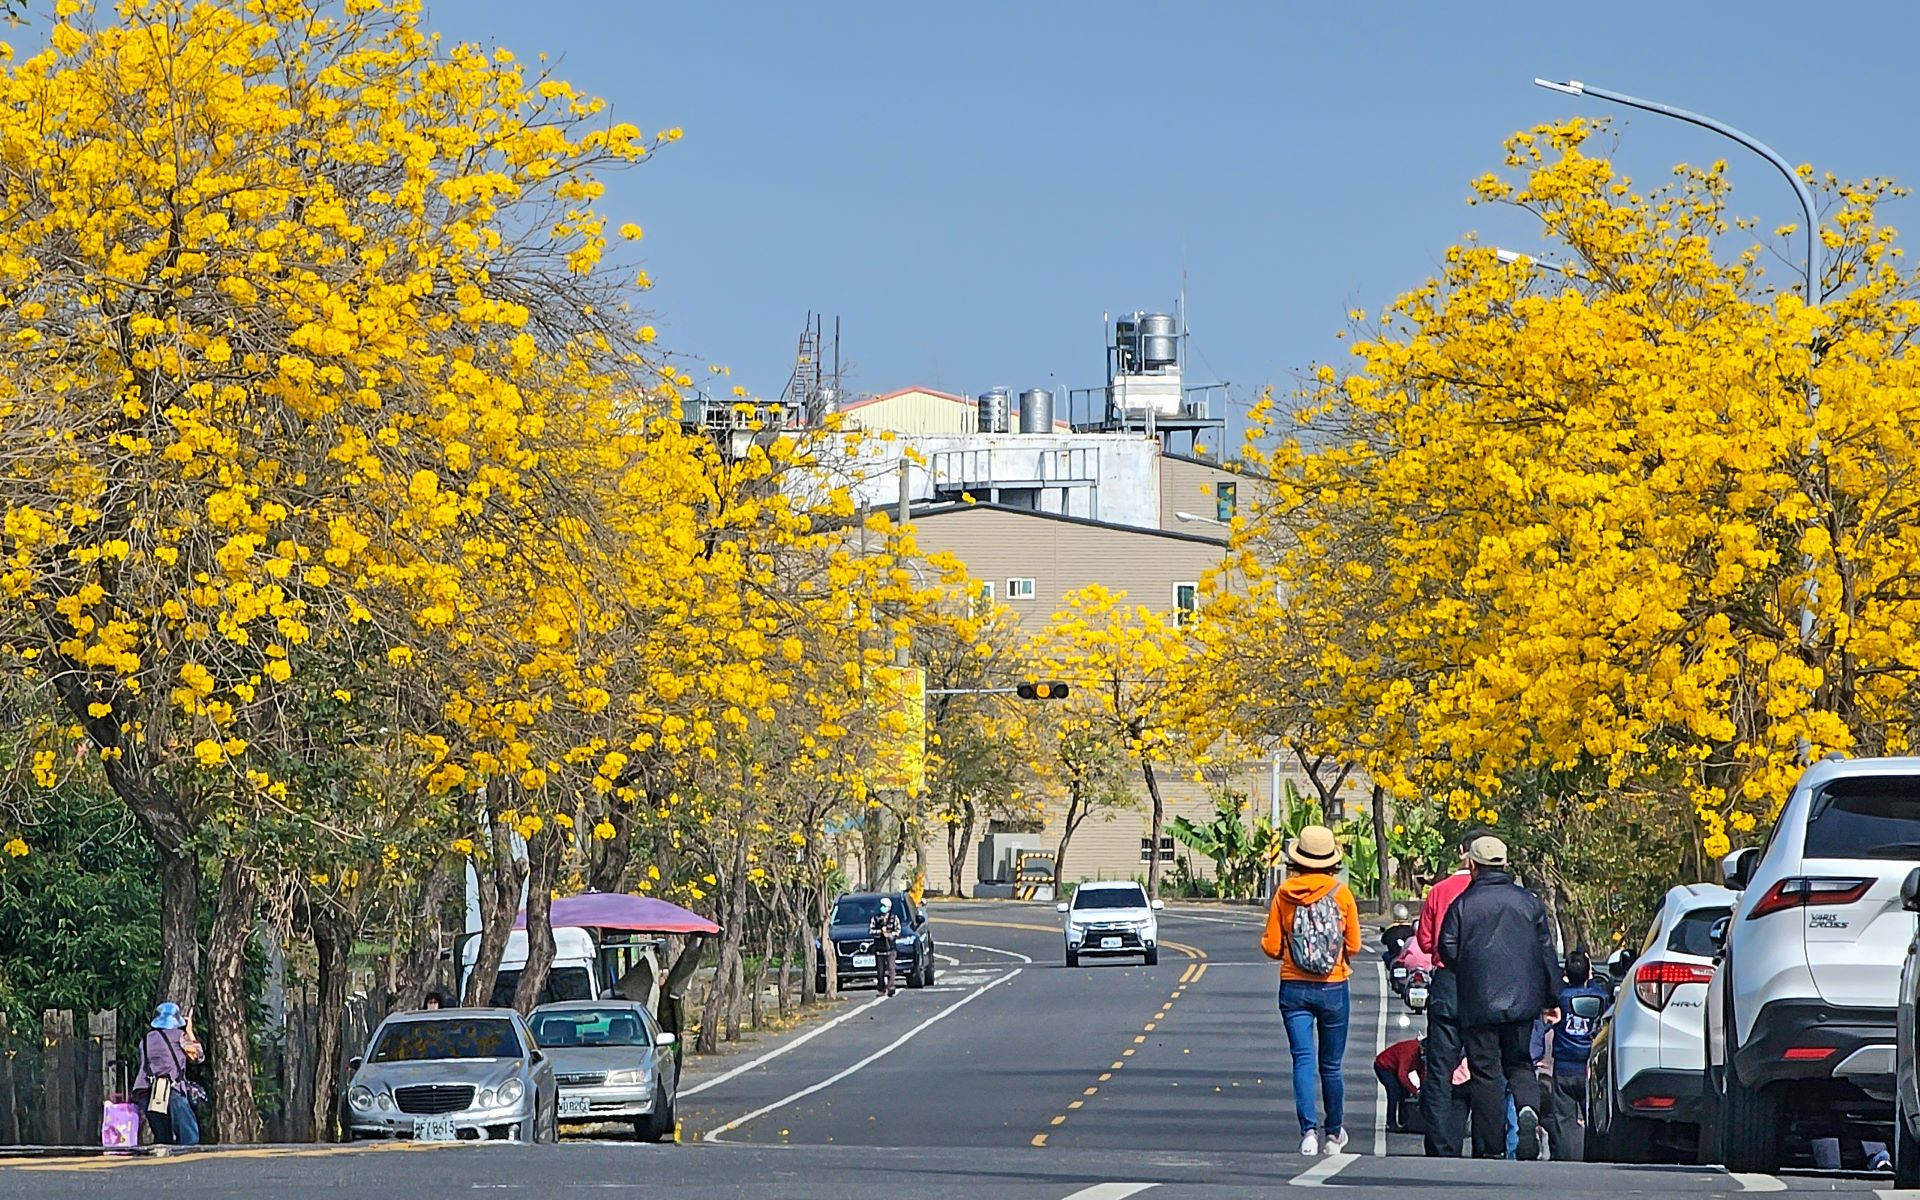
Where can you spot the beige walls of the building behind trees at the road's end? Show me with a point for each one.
(1034, 562)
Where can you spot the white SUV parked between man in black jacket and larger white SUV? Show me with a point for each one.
(1644, 1076)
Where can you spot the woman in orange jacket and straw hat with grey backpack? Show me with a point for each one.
(1314, 930)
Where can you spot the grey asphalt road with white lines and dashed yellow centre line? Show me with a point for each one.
(1011, 1078)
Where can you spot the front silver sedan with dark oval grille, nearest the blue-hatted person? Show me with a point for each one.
(466, 1074)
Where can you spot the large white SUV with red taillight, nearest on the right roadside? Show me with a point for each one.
(1802, 1007)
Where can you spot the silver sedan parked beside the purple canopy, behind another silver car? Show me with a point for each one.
(613, 1065)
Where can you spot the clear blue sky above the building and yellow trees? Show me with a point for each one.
(971, 187)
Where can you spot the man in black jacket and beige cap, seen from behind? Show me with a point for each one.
(1499, 946)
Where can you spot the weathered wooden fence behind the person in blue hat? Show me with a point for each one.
(57, 1078)
